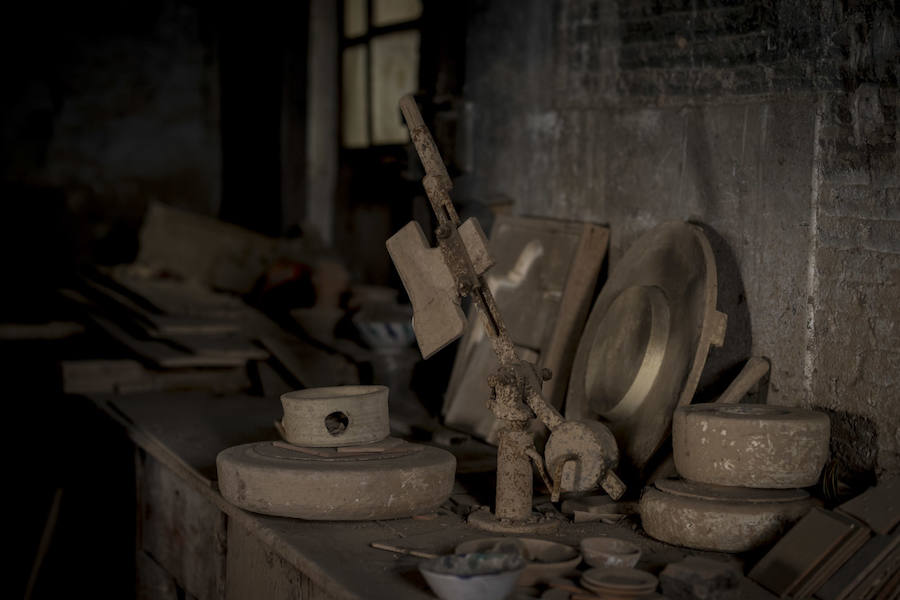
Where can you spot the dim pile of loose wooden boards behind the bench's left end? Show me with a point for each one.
(175, 326)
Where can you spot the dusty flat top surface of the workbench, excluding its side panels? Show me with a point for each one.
(185, 431)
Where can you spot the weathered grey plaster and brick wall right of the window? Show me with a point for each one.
(773, 123)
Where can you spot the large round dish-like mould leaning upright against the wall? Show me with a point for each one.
(647, 338)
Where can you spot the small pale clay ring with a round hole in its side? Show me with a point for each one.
(342, 415)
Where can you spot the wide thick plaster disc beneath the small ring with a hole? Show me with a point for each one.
(271, 479)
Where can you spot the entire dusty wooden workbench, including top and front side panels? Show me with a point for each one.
(188, 534)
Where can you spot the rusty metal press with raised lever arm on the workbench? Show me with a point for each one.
(579, 455)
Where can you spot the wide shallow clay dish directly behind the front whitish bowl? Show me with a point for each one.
(544, 559)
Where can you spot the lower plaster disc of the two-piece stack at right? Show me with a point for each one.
(708, 521)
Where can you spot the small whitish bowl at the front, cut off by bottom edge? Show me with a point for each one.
(475, 576)
